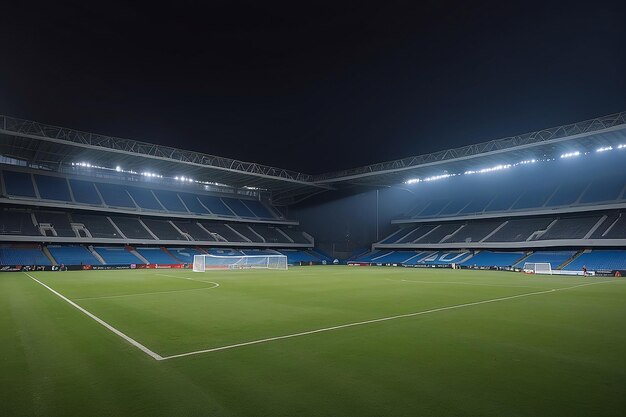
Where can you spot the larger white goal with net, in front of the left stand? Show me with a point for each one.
(202, 263)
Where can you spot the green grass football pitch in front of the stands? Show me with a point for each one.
(453, 343)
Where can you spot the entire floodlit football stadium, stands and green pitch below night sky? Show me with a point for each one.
(149, 280)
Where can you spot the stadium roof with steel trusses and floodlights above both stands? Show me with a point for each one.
(52, 146)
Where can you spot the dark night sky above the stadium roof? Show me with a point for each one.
(312, 86)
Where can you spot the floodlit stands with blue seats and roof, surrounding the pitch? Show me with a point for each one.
(77, 198)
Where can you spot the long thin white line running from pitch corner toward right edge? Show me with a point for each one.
(362, 323)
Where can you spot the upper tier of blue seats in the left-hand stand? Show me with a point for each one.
(135, 197)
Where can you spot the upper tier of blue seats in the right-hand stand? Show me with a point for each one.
(541, 186)
